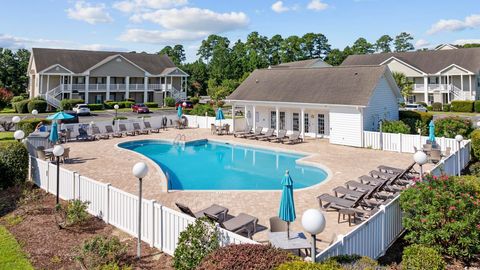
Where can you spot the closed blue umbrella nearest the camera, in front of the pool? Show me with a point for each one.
(287, 205)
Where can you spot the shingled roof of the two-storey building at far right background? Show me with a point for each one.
(427, 61)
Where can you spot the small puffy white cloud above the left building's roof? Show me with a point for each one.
(89, 13)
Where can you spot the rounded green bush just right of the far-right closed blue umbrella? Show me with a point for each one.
(450, 126)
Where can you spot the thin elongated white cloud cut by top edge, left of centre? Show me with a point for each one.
(129, 6)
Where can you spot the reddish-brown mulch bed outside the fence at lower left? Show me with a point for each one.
(34, 226)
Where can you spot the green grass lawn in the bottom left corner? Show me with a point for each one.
(11, 255)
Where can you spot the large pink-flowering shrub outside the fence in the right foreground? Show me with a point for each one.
(444, 213)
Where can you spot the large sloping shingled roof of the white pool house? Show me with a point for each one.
(330, 85)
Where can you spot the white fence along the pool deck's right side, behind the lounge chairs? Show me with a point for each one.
(373, 237)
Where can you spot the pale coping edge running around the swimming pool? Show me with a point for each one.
(300, 161)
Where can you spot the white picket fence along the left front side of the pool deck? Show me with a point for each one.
(161, 226)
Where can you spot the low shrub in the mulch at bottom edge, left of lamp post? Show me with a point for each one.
(100, 251)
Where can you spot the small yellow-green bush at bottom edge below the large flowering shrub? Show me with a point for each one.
(418, 257)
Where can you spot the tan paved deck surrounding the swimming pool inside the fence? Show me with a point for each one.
(105, 162)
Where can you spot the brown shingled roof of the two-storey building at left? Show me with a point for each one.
(79, 61)
